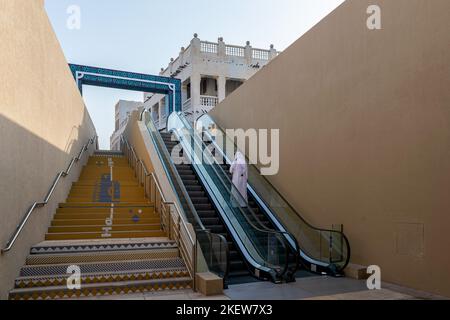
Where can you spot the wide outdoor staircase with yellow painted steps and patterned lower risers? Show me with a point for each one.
(109, 232)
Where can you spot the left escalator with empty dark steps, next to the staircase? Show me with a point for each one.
(254, 251)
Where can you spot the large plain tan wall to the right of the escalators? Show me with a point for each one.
(365, 133)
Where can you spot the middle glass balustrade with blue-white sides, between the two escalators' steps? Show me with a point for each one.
(265, 250)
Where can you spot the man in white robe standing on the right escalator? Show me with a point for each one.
(240, 175)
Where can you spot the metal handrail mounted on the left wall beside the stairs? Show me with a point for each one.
(49, 195)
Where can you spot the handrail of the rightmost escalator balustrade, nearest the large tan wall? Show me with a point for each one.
(342, 234)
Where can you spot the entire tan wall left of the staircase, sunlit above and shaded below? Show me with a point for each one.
(43, 124)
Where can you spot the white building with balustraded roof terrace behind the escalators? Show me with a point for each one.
(209, 72)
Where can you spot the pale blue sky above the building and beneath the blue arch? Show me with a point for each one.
(142, 35)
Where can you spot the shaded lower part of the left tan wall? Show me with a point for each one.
(28, 167)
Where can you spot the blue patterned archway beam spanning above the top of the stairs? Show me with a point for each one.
(85, 75)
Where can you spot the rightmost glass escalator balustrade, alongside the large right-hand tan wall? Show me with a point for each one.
(321, 251)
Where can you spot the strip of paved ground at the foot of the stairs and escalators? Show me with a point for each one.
(310, 288)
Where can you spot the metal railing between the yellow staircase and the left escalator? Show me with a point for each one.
(172, 221)
